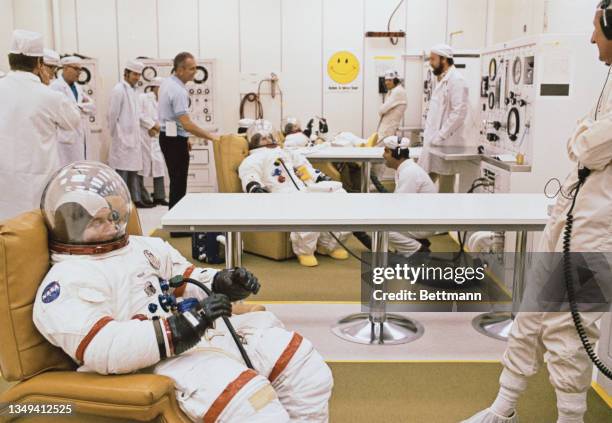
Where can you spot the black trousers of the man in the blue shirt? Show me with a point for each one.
(176, 154)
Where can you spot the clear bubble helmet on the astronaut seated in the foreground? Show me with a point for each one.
(86, 206)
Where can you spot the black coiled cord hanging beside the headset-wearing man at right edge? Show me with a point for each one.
(569, 280)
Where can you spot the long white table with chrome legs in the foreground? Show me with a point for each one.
(378, 213)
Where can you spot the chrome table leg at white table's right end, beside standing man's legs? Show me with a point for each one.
(498, 324)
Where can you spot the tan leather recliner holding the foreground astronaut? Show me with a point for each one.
(45, 373)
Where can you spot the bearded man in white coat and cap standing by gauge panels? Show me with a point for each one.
(446, 116)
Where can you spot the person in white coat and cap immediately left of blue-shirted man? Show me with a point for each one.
(153, 163)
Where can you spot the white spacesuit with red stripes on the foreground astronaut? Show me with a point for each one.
(123, 286)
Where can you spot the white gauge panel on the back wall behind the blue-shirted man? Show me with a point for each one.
(201, 89)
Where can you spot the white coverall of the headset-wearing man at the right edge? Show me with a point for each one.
(533, 334)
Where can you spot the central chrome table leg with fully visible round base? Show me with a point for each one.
(378, 327)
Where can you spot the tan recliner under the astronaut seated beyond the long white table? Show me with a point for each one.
(229, 152)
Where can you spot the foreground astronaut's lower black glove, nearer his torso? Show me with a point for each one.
(188, 328)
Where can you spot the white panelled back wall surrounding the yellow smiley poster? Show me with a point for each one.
(251, 38)
